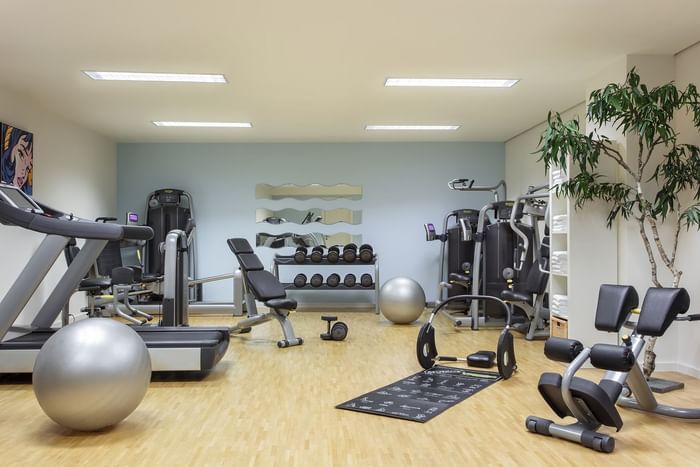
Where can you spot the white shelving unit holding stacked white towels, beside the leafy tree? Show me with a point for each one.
(583, 256)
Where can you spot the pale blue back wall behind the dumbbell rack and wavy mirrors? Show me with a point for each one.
(405, 185)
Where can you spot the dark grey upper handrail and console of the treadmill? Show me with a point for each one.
(71, 226)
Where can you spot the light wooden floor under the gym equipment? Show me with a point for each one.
(264, 406)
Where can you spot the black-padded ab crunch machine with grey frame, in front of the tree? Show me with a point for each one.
(624, 384)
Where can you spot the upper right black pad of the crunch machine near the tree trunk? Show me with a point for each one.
(660, 308)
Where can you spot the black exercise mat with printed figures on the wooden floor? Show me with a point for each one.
(424, 395)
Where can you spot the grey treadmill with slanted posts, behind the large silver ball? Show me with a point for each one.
(196, 349)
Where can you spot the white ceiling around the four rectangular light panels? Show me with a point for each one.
(313, 70)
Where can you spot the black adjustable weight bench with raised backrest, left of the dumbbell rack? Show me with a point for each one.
(262, 285)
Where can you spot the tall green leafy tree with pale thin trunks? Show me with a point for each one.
(660, 176)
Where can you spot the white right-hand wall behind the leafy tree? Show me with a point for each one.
(680, 348)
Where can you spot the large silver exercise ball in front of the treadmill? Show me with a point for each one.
(91, 374)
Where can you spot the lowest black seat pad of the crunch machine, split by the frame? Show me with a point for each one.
(599, 399)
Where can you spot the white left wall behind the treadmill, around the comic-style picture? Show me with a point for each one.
(74, 171)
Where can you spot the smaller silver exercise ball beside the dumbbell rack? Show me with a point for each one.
(401, 300)
